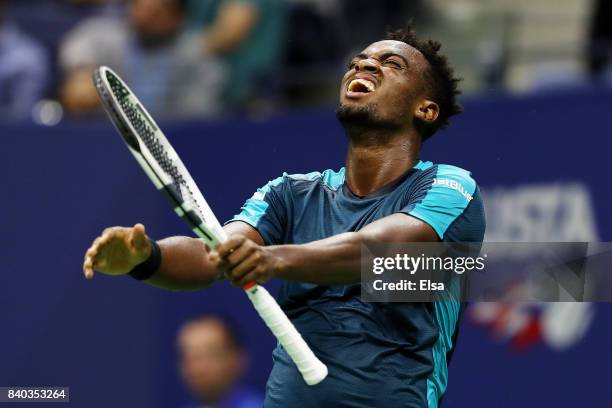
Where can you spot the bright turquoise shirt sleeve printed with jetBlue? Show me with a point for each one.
(451, 195)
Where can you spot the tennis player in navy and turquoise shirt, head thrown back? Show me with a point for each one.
(308, 230)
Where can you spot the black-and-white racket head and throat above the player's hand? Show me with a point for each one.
(156, 155)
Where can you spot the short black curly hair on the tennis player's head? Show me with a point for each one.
(440, 77)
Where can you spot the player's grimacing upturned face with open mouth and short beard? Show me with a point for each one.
(383, 85)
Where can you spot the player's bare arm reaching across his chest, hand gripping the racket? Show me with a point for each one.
(334, 260)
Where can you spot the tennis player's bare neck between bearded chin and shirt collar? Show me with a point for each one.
(376, 158)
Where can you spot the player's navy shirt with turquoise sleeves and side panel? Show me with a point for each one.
(378, 354)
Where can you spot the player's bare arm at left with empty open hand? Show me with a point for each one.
(185, 265)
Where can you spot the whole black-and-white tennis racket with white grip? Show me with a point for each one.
(165, 169)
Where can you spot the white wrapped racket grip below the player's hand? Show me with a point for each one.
(312, 369)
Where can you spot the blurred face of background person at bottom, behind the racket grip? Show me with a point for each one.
(209, 362)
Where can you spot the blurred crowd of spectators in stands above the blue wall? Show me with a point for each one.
(206, 58)
